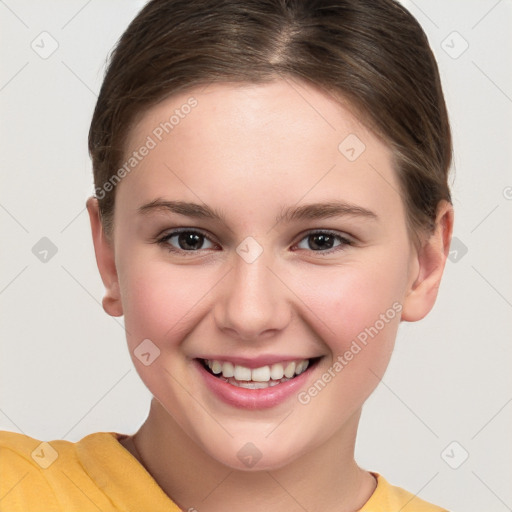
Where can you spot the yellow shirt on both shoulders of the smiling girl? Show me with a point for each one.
(99, 474)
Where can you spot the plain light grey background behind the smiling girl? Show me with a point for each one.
(64, 368)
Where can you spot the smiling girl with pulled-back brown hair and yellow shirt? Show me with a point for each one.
(271, 202)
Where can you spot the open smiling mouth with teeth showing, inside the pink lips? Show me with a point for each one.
(258, 378)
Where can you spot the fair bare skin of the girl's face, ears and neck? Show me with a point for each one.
(249, 151)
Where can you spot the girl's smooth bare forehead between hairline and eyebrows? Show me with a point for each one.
(282, 138)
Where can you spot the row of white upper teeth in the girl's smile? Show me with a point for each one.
(263, 374)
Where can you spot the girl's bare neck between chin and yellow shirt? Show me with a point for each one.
(325, 479)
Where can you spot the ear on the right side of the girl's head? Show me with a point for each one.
(428, 267)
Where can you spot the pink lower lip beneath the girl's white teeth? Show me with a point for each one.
(252, 398)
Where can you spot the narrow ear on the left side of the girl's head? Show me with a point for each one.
(104, 249)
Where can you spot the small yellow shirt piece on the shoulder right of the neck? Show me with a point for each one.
(388, 497)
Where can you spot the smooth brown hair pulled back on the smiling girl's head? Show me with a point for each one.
(371, 53)
